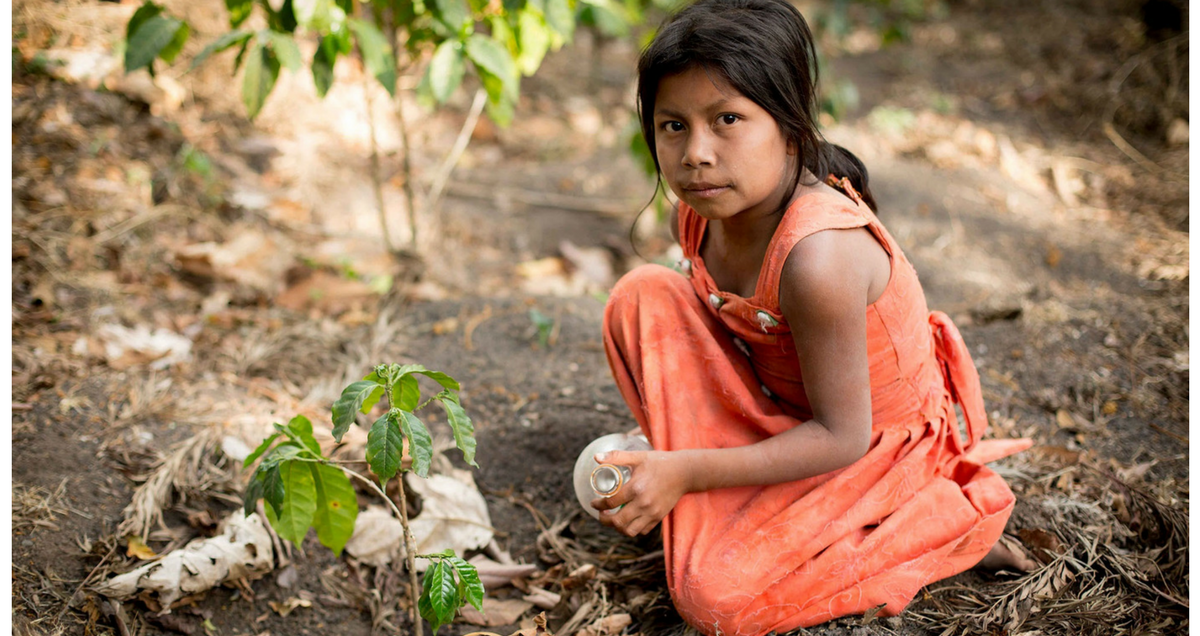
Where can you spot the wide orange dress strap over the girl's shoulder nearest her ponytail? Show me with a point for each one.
(807, 217)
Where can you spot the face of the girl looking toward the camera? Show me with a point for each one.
(721, 153)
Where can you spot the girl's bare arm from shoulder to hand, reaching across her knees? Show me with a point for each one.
(827, 284)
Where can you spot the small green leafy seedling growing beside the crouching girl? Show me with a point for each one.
(303, 489)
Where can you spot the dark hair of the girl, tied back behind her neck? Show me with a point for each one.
(764, 50)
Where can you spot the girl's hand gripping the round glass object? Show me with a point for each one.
(659, 479)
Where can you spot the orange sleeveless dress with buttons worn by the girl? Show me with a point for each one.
(701, 368)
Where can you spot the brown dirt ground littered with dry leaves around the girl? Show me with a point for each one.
(1031, 160)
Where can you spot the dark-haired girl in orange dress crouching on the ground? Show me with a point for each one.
(799, 392)
